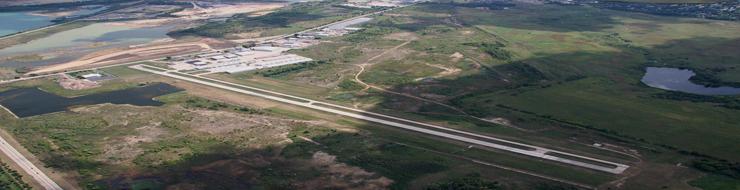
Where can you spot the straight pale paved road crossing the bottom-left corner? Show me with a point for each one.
(27, 166)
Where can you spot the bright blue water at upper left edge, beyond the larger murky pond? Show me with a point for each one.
(13, 22)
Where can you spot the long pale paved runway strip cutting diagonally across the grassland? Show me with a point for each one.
(472, 138)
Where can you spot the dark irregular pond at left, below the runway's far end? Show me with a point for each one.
(25, 102)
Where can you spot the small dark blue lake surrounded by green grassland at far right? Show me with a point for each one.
(678, 80)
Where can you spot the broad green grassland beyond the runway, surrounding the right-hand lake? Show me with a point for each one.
(570, 75)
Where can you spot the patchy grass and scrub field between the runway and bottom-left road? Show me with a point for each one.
(258, 145)
